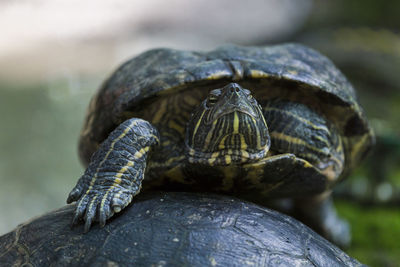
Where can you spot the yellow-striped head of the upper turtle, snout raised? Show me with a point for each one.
(227, 128)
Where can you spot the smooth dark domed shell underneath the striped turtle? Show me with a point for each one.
(173, 229)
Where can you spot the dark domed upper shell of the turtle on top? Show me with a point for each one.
(289, 71)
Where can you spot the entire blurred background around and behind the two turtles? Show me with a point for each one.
(53, 57)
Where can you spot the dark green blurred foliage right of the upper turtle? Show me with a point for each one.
(362, 38)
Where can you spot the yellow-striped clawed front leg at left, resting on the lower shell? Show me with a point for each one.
(115, 172)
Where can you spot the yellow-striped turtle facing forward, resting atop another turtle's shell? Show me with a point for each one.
(256, 122)
